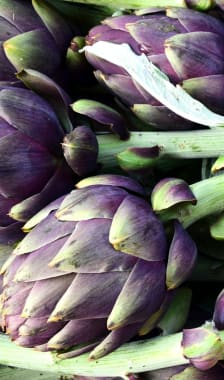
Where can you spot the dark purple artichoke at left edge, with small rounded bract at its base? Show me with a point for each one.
(33, 168)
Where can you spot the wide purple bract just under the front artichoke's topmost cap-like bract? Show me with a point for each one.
(91, 202)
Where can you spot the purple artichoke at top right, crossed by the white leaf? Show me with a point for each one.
(185, 44)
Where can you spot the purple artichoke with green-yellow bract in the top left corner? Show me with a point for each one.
(33, 35)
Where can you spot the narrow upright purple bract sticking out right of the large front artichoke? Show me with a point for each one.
(181, 257)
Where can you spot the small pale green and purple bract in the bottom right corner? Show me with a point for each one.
(202, 346)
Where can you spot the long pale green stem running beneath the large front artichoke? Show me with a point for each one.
(135, 357)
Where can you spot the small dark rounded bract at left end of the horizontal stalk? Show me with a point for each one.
(80, 148)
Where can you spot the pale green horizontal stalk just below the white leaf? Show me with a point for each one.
(178, 145)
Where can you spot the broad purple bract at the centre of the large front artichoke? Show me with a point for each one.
(92, 252)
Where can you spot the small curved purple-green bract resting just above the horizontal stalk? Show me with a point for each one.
(104, 115)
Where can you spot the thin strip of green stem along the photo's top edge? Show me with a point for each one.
(133, 4)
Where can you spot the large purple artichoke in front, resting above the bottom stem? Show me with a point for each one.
(94, 260)
